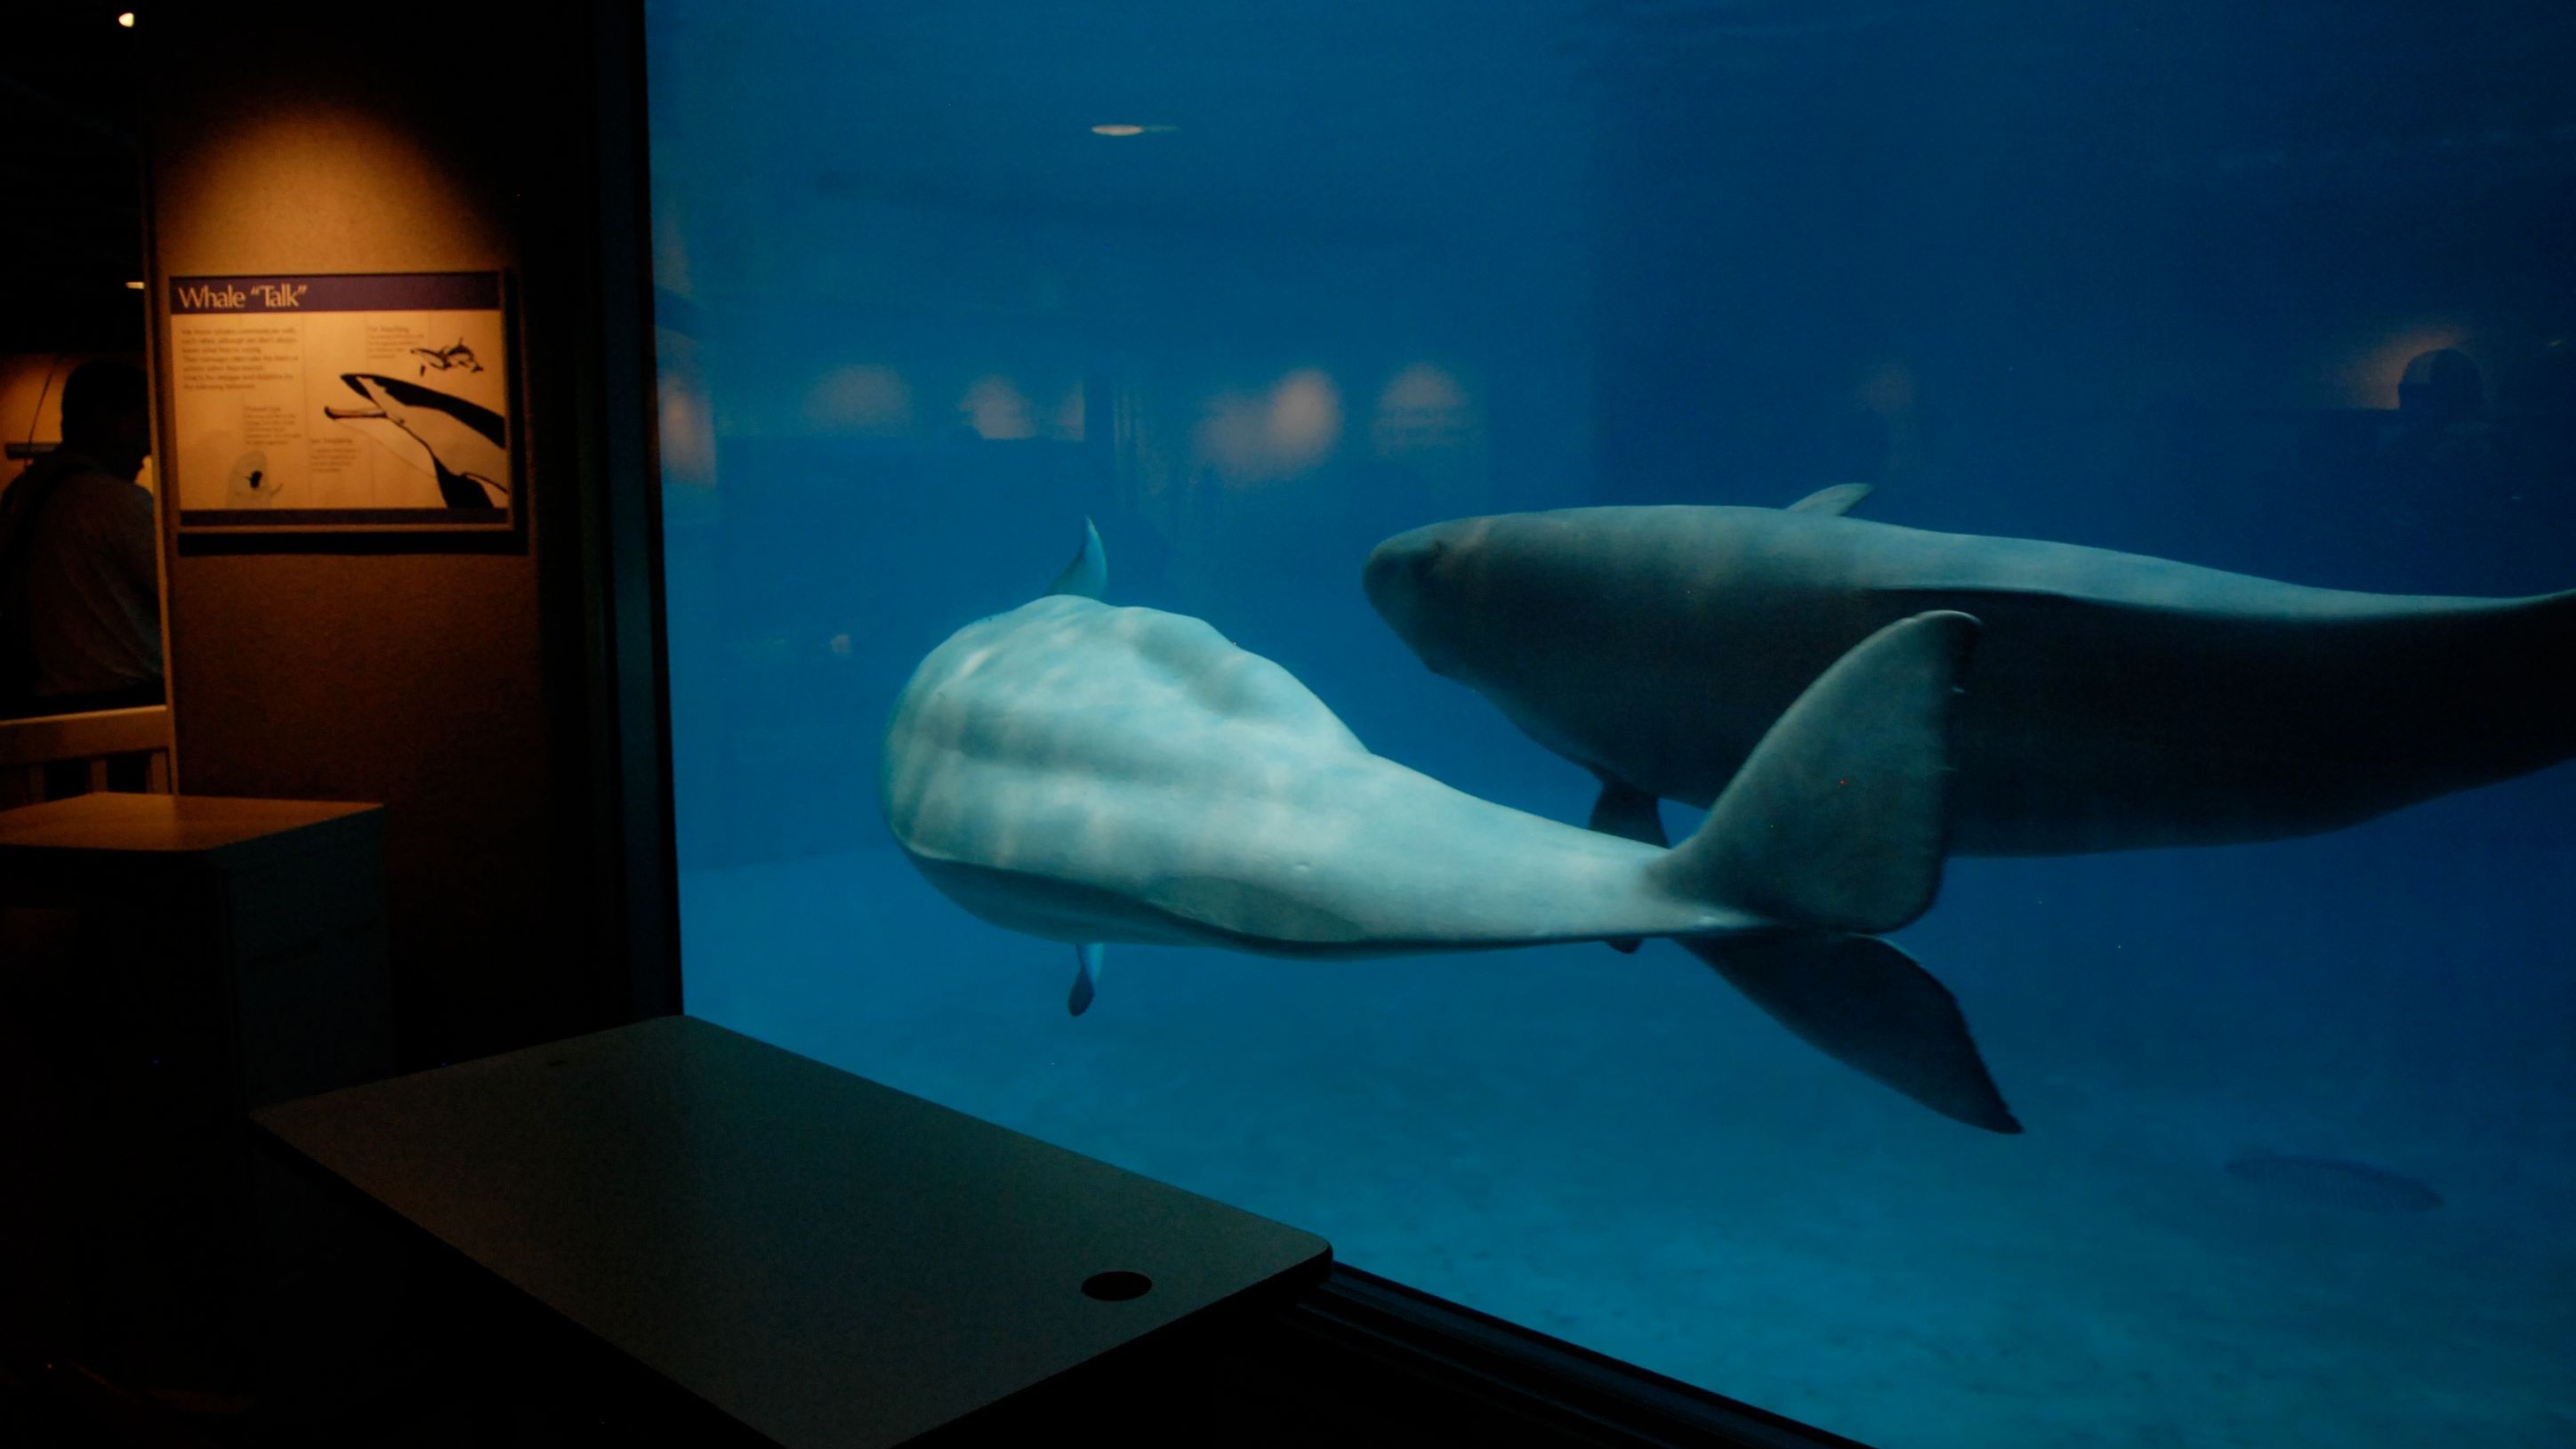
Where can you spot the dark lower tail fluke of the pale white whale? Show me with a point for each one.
(1869, 1007)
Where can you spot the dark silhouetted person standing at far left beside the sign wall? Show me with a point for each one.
(79, 558)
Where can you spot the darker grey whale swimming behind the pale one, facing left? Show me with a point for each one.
(2121, 703)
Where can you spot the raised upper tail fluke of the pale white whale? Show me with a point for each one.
(1841, 816)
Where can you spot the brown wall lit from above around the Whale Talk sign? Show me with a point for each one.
(349, 141)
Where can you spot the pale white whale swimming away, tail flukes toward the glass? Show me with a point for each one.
(1099, 775)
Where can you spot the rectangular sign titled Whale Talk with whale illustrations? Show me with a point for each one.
(341, 404)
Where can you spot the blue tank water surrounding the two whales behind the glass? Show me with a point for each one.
(2132, 275)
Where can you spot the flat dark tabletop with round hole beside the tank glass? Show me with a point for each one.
(818, 1257)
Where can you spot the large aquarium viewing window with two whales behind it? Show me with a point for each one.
(1856, 703)
